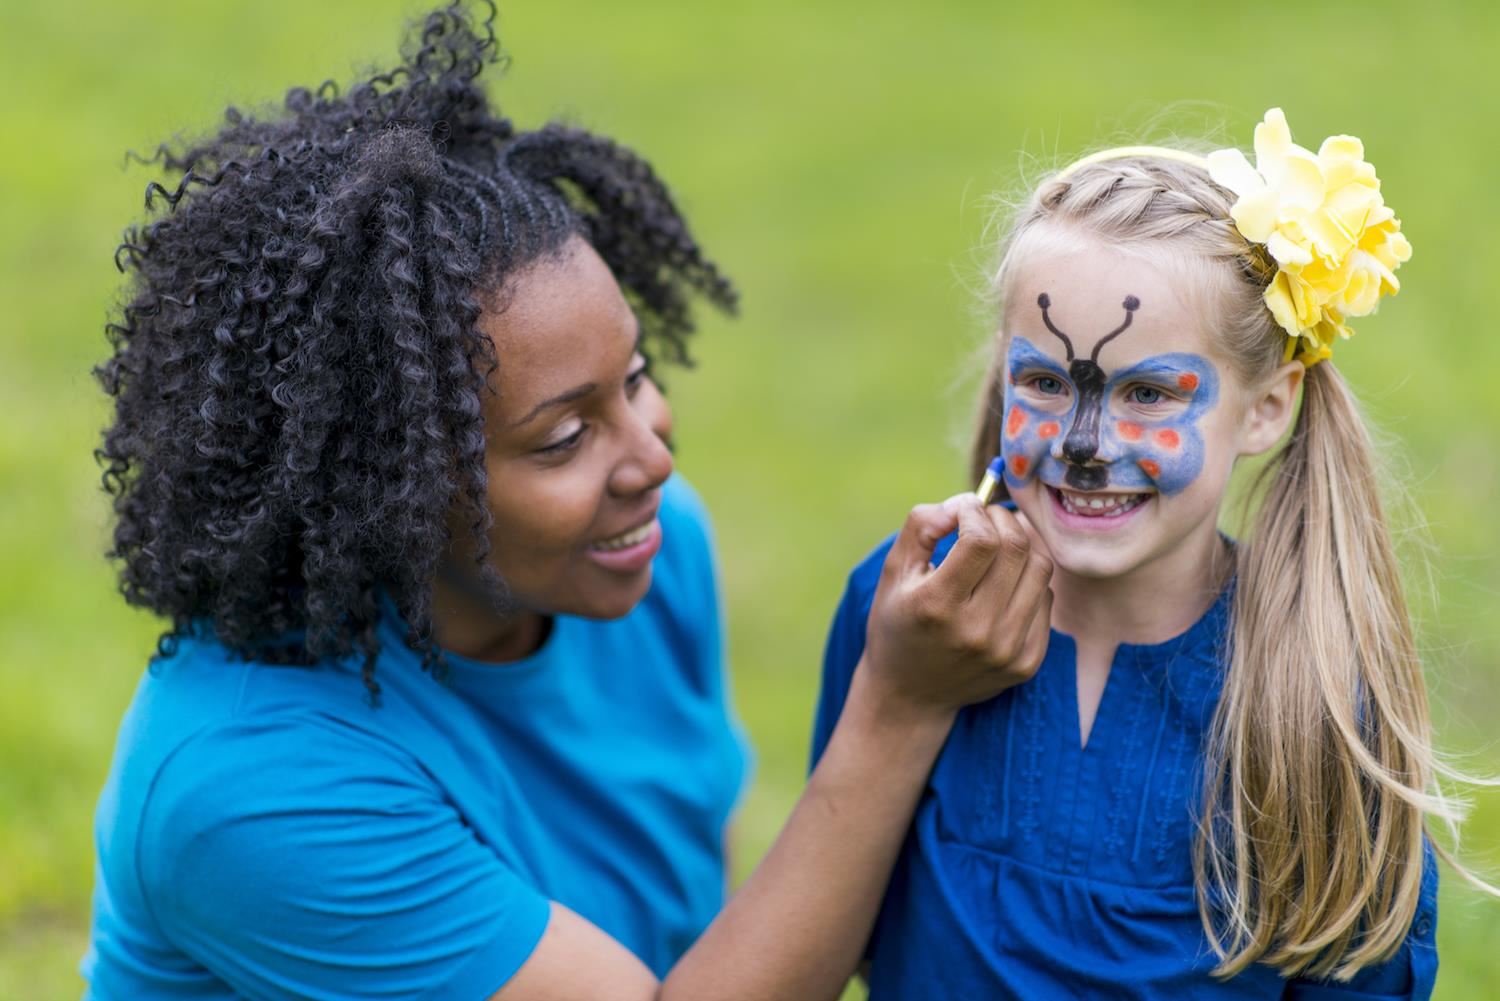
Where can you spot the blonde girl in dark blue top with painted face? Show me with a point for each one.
(1217, 784)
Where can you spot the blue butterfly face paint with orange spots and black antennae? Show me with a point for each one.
(1133, 431)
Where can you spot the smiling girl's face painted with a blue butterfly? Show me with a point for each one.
(1121, 422)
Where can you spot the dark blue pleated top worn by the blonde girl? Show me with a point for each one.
(1039, 870)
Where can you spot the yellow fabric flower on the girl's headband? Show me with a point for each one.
(1325, 223)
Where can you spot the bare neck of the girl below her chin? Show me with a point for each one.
(1151, 604)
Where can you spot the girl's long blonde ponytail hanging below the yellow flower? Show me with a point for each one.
(1321, 768)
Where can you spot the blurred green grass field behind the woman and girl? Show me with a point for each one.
(838, 158)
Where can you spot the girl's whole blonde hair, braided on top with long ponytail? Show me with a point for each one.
(1321, 768)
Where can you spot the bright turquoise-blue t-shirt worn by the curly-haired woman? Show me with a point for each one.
(269, 834)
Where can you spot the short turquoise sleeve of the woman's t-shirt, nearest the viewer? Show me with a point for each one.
(302, 859)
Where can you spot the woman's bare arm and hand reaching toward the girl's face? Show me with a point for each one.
(938, 640)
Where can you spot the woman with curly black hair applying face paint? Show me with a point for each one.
(440, 712)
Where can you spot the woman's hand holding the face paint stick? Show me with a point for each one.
(967, 631)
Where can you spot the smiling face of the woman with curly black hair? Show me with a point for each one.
(577, 442)
